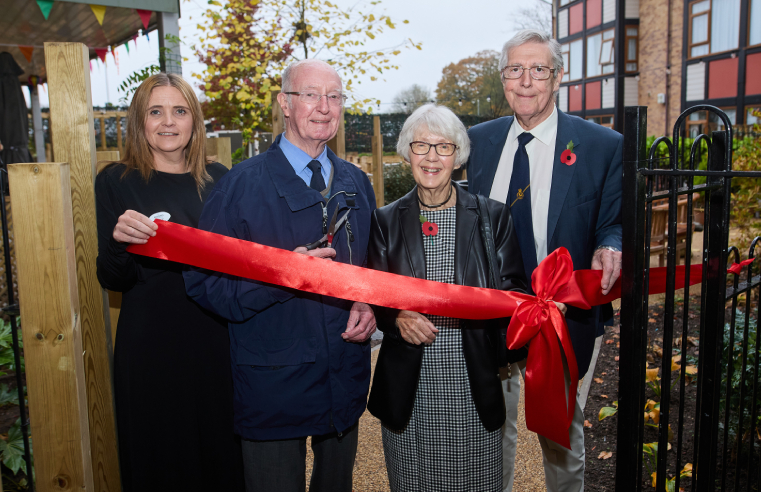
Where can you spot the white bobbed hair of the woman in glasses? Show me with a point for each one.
(439, 121)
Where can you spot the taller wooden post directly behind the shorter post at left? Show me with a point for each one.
(68, 73)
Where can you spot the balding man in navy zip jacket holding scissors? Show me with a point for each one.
(300, 361)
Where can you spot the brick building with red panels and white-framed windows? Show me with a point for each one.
(667, 55)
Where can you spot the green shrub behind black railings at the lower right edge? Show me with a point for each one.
(738, 371)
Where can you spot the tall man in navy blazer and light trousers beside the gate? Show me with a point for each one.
(572, 201)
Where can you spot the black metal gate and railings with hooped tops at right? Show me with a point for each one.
(721, 429)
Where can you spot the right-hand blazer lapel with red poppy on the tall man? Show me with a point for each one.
(562, 174)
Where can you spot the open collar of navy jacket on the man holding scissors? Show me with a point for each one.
(298, 195)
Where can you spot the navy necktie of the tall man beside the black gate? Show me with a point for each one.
(519, 201)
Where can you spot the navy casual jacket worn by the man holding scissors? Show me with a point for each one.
(293, 374)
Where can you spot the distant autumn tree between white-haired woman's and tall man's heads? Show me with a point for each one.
(474, 83)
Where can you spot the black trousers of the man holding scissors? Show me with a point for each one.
(280, 466)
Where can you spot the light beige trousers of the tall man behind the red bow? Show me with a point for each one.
(563, 468)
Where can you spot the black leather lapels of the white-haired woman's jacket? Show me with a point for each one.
(466, 226)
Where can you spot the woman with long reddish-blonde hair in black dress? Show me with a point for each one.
(171, 358)
